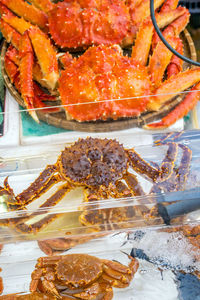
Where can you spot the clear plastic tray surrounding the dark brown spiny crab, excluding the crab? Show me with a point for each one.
(23, 165)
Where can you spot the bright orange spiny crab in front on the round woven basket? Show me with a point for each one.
(102, 83)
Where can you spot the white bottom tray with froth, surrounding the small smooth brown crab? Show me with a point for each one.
(168, 263)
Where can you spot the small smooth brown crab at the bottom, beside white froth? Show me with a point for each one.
(81, 276)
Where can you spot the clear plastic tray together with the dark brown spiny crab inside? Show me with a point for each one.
(152, 185)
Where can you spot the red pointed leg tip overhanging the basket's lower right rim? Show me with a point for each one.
(180, 111)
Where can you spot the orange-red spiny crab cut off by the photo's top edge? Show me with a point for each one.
(76, 23)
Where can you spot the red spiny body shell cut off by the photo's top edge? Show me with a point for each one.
(78, 23)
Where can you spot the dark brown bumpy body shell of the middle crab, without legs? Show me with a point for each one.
(93, 162)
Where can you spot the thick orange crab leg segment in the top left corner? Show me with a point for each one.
(27, 11)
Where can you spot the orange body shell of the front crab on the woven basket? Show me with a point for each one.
(103, 73)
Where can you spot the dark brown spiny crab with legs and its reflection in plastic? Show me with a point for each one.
(104, 168)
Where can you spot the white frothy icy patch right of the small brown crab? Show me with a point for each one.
(170, 250)
